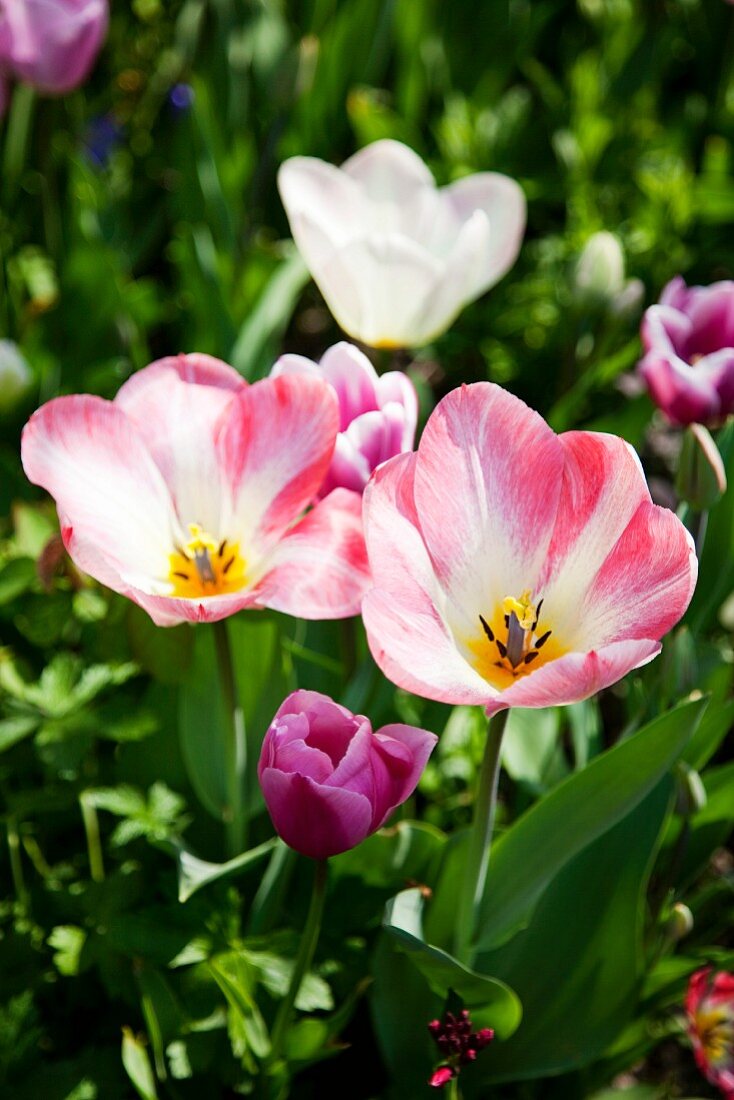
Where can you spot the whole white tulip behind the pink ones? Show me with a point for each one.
(396, 258)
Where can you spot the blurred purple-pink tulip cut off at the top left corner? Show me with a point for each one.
(51, 45)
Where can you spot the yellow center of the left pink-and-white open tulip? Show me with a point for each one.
(206, 567)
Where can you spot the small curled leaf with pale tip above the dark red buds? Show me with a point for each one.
(404, 921)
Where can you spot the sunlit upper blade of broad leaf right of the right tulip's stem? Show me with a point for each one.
(527, 859)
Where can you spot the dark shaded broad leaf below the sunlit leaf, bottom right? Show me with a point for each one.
(579, 963)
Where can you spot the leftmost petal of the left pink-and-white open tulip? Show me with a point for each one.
(116, 512)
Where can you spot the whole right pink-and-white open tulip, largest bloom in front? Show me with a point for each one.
(517, 568)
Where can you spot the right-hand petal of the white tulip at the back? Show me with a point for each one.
(503, 203)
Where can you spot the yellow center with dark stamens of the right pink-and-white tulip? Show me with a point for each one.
(512, 643)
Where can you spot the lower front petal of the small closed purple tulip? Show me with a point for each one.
(316, 821)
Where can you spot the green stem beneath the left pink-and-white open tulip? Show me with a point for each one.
(236, 750)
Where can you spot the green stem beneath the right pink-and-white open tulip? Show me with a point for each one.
(478, 857)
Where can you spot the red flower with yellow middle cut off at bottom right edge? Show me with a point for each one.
(710, 1010)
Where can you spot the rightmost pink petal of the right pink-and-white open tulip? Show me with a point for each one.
(647, 582)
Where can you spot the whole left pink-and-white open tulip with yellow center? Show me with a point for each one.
(188, 492)
